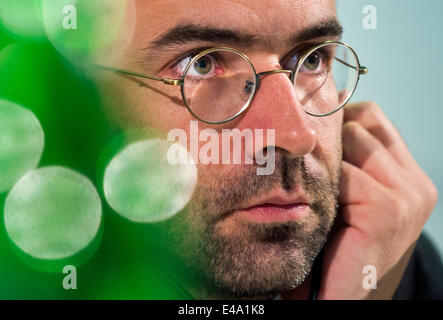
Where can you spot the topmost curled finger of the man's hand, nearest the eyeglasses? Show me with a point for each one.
(372, 118)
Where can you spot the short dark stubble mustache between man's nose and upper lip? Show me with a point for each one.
(231, 191)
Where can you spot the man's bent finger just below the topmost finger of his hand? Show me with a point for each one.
(364, 151)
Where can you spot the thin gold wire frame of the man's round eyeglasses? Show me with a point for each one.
(257, 76)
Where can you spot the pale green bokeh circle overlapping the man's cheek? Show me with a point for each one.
(142, 186)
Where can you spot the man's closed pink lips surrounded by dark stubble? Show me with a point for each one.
(276, 209)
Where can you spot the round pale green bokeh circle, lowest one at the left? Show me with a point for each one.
(52, 213)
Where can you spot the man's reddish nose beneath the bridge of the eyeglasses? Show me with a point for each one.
(275, 106)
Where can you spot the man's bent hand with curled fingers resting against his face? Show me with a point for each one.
(385, 200)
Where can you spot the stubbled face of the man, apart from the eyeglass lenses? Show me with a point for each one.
(251, 235)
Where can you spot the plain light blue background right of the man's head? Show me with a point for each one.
(404, 56)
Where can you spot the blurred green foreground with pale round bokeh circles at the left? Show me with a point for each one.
(55, 146)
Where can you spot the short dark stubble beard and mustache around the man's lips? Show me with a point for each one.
(254, 260)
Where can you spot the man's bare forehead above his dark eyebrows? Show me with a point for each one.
(268, 18)
